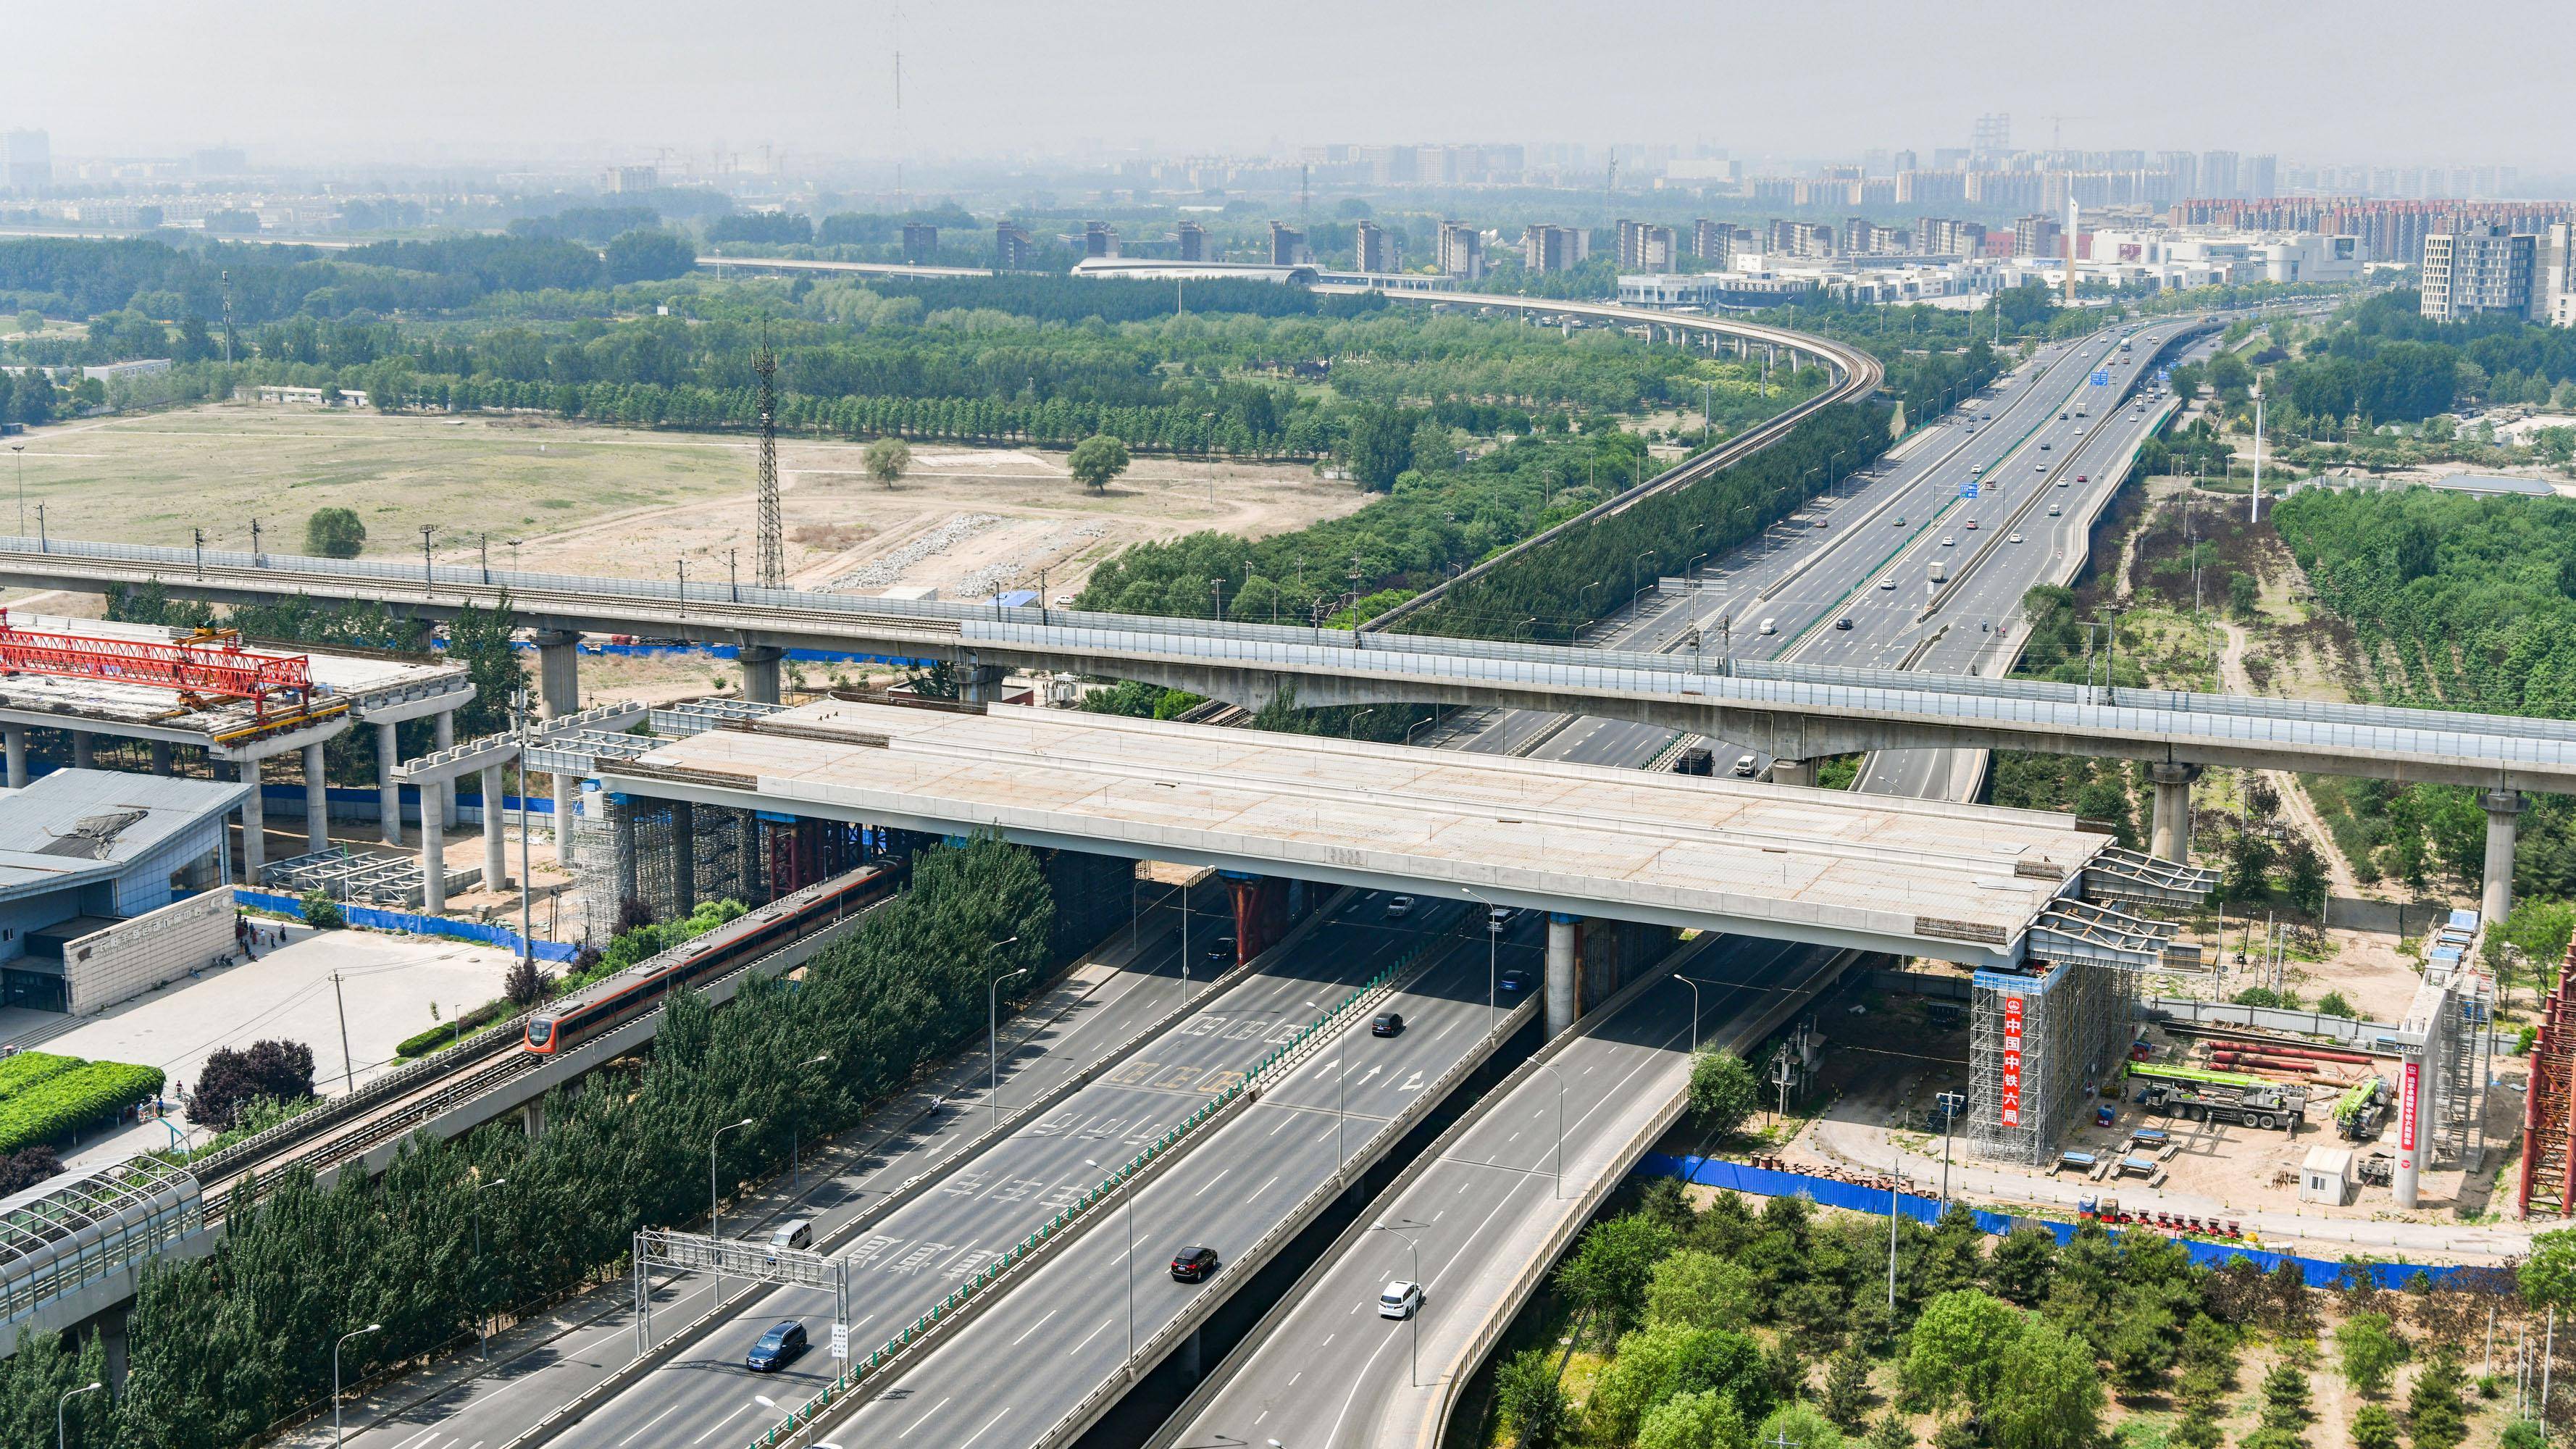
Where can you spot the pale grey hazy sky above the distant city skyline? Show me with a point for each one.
(483, 81)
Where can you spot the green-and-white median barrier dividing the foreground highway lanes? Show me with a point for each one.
(1068, 1223)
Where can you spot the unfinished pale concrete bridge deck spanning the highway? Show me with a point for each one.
(1802, 865)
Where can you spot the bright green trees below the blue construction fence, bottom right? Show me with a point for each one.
(1717, 1321)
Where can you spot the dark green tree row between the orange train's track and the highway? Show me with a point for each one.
(231, 1345)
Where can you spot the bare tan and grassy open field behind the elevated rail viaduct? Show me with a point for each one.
(620, 501)
